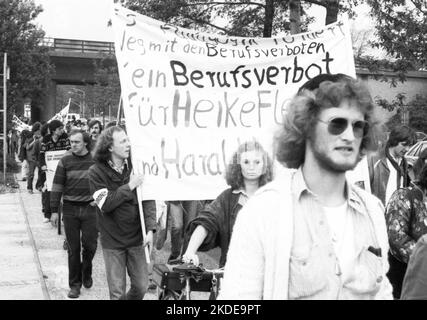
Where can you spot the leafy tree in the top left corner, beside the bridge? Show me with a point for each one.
(29, 62)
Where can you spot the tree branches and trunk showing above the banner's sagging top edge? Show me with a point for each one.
(243, 18)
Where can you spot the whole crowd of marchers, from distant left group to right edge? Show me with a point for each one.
(303, 231)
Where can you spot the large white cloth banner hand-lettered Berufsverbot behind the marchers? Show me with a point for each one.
(189, 98)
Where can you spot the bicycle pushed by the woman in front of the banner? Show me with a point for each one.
(177, 282)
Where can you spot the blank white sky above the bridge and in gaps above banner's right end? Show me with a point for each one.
(87, 19)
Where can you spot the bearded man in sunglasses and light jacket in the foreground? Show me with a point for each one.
(310, 233)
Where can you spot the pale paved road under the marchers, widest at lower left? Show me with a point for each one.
(33, 263)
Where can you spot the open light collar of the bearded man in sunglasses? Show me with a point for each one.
(299, 187)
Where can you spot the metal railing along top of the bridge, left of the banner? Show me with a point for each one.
(58, 44)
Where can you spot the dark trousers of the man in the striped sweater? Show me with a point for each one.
(80, 220)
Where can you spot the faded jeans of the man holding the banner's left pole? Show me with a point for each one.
(117, 261)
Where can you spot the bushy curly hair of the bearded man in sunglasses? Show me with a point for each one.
(303, 111)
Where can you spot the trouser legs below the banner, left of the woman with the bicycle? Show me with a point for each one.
(180, 215)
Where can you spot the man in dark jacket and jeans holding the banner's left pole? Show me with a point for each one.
(113, 188)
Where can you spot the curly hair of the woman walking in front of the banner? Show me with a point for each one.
(233, 173)
